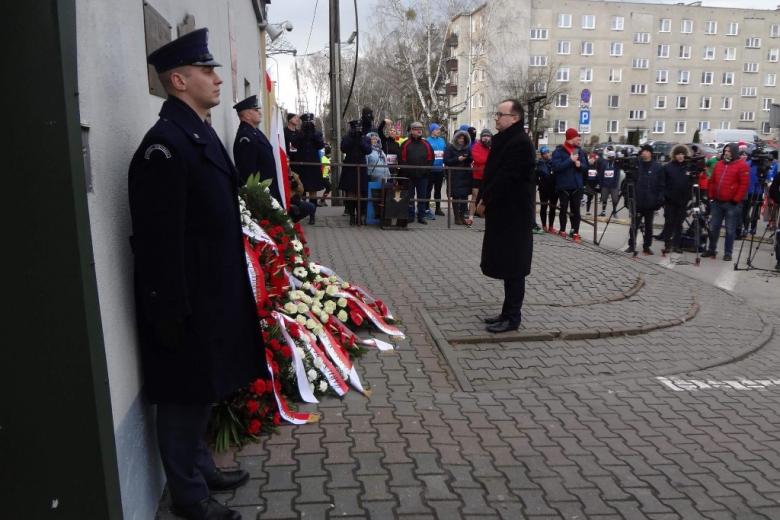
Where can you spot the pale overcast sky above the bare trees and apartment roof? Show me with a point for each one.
(301, 13)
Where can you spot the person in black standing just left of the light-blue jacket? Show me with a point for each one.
(354, 179)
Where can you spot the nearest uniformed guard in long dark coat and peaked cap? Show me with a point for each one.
(197, 324)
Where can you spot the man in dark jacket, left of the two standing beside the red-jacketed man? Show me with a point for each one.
(649, 189)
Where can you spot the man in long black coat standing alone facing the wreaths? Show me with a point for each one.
(507, 198)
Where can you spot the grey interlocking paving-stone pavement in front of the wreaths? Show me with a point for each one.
(531, 428)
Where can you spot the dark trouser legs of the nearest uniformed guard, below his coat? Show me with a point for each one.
(181, 431)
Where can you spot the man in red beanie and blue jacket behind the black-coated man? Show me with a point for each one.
(570, 165)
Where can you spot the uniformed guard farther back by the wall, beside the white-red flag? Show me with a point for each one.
(252, 151)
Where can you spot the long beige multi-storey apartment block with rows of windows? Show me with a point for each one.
(652, 71)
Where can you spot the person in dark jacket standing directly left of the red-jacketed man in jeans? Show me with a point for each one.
(677, 194)
